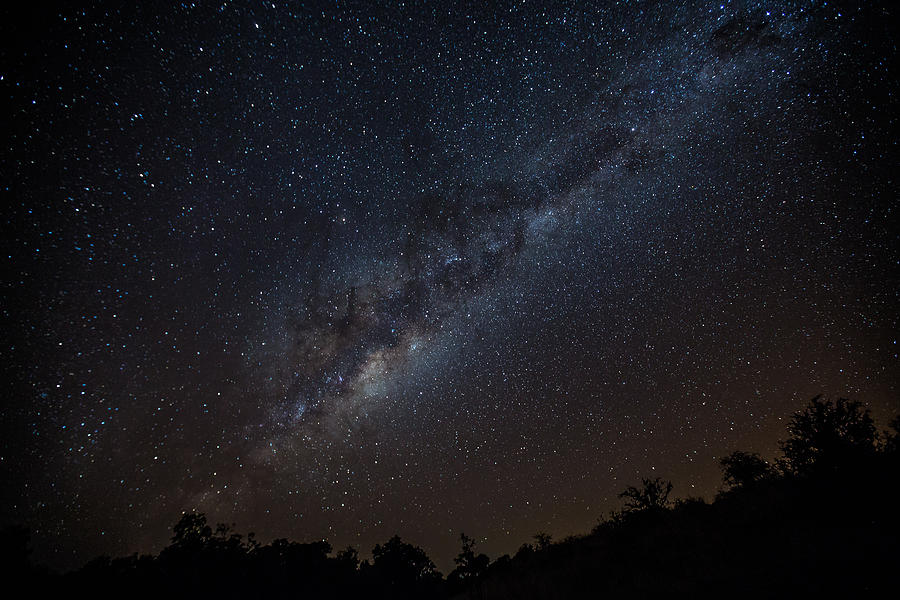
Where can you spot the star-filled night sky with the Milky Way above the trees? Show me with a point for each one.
(344, 271)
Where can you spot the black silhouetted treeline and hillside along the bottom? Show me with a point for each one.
(821, 519)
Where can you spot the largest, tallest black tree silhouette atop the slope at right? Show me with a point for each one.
(827, 434)
